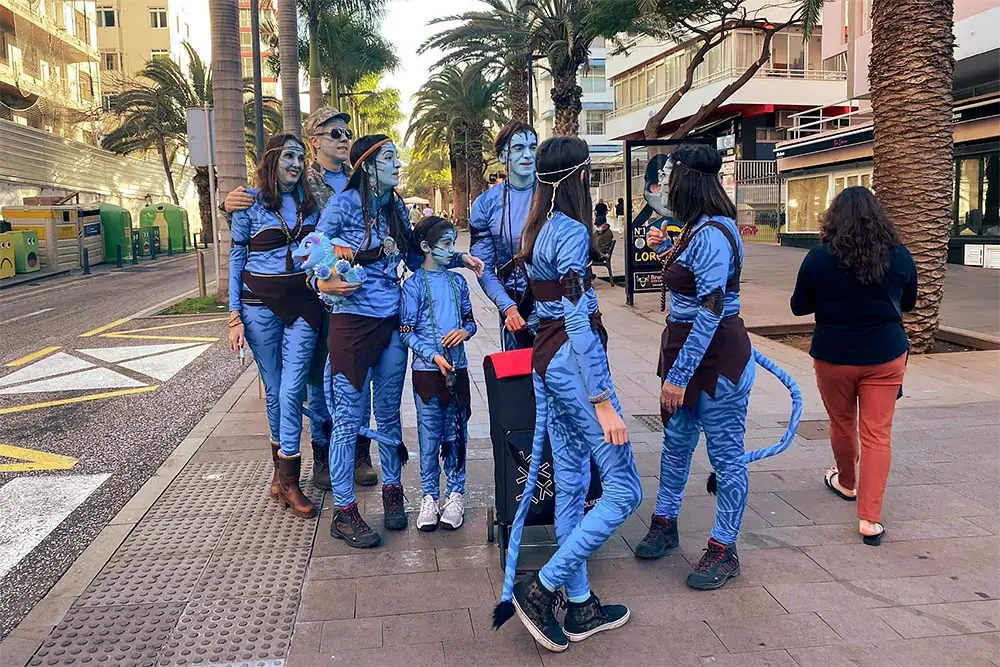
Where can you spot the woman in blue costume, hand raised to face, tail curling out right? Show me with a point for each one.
(707, 364)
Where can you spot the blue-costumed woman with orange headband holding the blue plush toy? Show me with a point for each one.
(369, 224)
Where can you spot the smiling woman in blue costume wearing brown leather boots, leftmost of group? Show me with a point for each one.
(272, 308)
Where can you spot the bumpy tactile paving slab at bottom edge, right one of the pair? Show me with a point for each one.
(231, 632)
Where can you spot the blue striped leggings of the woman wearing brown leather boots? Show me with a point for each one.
(283, 355)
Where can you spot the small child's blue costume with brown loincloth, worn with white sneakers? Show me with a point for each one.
(434, 303)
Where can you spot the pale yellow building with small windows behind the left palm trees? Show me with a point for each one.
(130, 33)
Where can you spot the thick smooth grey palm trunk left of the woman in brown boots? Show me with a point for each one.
(230, 133)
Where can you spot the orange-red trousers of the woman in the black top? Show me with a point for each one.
(861, 400)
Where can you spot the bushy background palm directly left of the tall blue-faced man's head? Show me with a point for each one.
(456, 107)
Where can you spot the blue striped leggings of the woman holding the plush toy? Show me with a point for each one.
(350, 407)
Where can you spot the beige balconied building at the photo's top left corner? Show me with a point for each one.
(49, 75)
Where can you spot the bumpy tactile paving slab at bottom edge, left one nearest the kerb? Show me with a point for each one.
(123, 635)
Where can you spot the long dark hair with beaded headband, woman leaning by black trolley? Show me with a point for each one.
(556, 159)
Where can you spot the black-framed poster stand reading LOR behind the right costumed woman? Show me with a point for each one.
(644, 165)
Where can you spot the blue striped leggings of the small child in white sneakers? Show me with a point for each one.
(435, 425)
